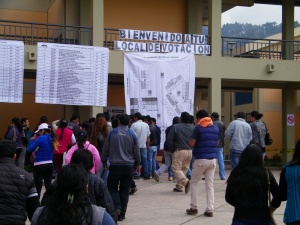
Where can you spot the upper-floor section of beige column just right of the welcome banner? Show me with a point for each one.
(214, 26)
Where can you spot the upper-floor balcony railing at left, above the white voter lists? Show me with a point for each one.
(31, 33)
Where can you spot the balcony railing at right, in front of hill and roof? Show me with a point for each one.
(260, 48)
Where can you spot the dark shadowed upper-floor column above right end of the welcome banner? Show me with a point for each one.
(194, 16)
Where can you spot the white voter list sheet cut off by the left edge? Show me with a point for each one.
(11, 71)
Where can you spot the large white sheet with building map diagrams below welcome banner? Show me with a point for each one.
(159, 85)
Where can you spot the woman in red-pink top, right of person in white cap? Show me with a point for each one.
(65, 137)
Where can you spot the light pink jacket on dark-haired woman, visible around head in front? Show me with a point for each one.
(92, 149)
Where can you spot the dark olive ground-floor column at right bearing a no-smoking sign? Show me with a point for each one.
(288, 132)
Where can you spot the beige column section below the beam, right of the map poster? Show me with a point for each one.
(214, 95)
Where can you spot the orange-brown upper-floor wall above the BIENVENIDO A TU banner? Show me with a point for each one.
(156, 15)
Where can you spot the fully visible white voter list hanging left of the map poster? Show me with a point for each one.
(71, 74)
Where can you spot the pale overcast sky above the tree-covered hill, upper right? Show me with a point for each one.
(258, 14)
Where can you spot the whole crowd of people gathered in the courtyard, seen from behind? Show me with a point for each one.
(96, 162)
